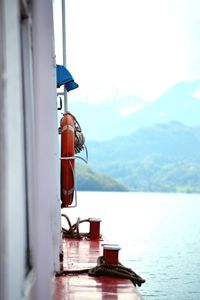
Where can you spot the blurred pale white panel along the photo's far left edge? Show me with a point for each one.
(15, 225)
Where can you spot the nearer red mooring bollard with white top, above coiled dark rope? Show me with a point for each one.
(111, 253)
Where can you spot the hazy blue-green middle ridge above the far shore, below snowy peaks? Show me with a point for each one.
(161, 158)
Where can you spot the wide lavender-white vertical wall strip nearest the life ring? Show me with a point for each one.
(47, 226)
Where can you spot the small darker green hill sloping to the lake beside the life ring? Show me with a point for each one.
(88, 180)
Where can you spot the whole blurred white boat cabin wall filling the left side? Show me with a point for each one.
(29, 159)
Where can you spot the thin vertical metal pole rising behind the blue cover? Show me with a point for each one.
(64, 50)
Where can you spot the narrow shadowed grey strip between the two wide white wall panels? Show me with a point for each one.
(29, 115)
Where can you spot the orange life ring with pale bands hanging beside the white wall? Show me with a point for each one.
(67, 128)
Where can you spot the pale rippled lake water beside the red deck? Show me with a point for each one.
(159, 235)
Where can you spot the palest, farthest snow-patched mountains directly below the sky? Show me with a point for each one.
(122, 117)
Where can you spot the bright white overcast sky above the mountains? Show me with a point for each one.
(117, 48)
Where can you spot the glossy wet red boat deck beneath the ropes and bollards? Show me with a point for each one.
(81, 254)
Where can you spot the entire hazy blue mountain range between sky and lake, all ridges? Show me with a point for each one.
(144, 146)
